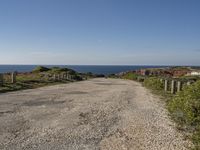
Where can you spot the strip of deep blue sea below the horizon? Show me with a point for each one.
(79, 68)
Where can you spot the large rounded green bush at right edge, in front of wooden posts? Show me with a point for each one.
(187, 103)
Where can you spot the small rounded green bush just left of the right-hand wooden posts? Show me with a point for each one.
(153, 83)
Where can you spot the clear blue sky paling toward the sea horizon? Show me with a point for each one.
(100, 32)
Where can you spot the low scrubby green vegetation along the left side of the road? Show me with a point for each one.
(40, 76)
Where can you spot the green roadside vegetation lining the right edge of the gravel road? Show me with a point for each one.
(184, 106)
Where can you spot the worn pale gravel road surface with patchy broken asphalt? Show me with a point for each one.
(107, 114)
